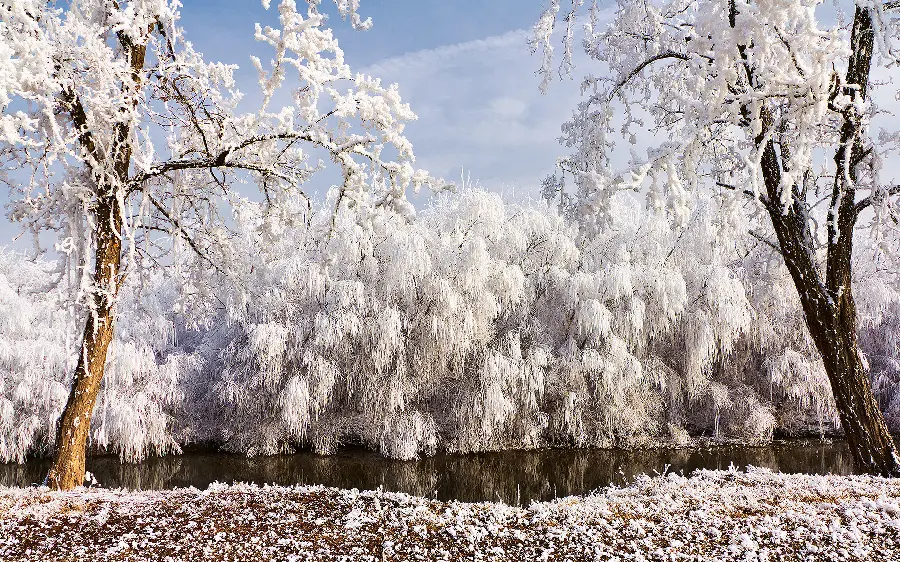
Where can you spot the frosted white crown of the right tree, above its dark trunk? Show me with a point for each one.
(710, 89)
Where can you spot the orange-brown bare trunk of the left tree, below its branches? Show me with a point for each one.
(73, 429)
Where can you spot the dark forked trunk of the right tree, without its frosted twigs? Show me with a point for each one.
(828, 304)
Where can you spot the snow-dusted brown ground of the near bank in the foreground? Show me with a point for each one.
(713, 515)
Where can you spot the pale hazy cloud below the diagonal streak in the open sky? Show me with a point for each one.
(480, 110)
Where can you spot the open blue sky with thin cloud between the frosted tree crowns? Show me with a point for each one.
(464, 67)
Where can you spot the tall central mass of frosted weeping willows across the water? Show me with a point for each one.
(482, 325)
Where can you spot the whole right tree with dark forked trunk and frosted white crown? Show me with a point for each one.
(770, 101)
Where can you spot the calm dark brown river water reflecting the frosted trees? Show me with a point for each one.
(513, 477)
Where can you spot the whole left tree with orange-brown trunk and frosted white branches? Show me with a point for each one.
(121, 138)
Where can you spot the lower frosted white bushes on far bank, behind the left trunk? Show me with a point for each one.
(37, 341)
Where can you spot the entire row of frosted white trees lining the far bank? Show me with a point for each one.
(478, 324)
